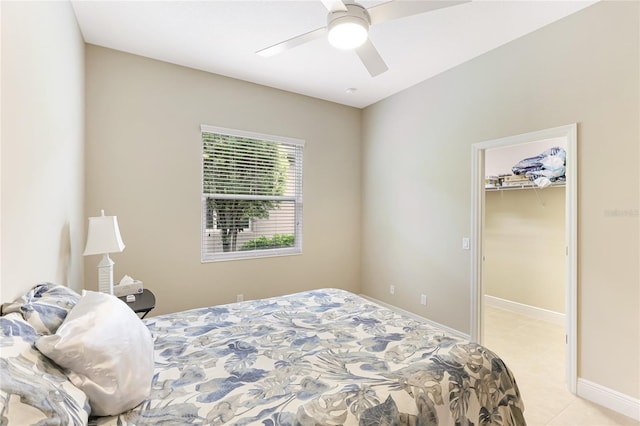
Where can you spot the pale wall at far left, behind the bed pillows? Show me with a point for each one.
(42, 233)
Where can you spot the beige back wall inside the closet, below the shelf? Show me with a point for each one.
(524, 246)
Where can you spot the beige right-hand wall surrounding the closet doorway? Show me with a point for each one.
(416, 176)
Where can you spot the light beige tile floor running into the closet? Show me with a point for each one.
(534, 351)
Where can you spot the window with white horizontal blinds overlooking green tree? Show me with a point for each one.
(251, 194)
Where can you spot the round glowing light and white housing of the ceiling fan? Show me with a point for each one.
(348, 29)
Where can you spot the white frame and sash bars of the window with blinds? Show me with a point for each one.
(296, 199)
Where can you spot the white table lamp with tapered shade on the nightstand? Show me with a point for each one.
(104, 238)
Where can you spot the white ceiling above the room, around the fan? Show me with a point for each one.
(222, 37)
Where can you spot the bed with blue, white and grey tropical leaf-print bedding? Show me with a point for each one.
(321, 357)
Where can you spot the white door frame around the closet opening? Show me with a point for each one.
(570, 132)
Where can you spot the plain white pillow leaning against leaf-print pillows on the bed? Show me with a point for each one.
(107, 351)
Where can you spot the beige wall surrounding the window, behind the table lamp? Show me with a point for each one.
(143, 165)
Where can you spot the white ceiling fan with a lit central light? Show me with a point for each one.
(348, 27)
